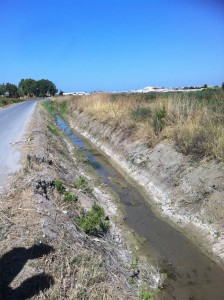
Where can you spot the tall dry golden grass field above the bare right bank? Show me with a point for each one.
(194, 121)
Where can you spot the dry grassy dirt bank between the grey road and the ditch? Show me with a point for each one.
(44, 254)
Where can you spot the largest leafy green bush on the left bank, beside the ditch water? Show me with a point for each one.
(94, 223)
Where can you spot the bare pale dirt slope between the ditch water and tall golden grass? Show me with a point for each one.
(186, 190)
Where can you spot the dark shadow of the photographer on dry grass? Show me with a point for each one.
(12, 263)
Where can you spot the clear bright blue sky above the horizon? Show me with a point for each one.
(112, 44)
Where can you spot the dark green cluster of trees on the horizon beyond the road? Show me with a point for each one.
(29, 87)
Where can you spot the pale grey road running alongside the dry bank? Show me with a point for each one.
(13, 124)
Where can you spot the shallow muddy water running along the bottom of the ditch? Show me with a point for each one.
(191, 274)
